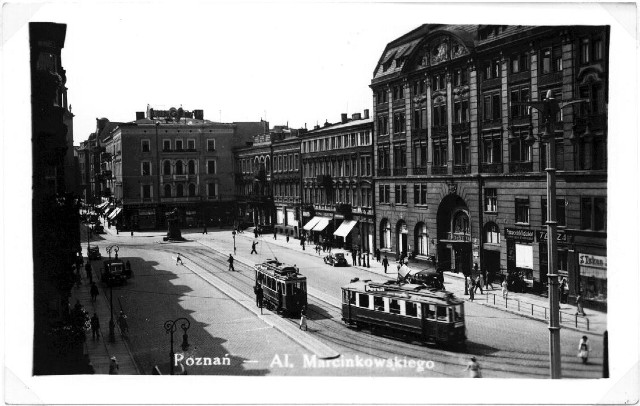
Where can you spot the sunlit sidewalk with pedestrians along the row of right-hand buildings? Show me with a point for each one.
(523, 304)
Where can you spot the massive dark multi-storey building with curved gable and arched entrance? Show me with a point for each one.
(457, 174)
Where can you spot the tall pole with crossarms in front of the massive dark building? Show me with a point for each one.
(548, 109)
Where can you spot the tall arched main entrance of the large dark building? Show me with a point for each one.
(454, 235)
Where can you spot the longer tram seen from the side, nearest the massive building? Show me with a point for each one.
(433, 316)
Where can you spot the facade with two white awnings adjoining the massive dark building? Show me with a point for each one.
(337, 187)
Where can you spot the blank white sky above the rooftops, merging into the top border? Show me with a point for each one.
(286, 63)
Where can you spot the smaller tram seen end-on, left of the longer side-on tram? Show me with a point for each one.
(284, 288)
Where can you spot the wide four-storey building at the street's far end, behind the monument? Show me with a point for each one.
(168, 159)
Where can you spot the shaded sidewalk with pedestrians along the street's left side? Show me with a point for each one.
(101, 350)
